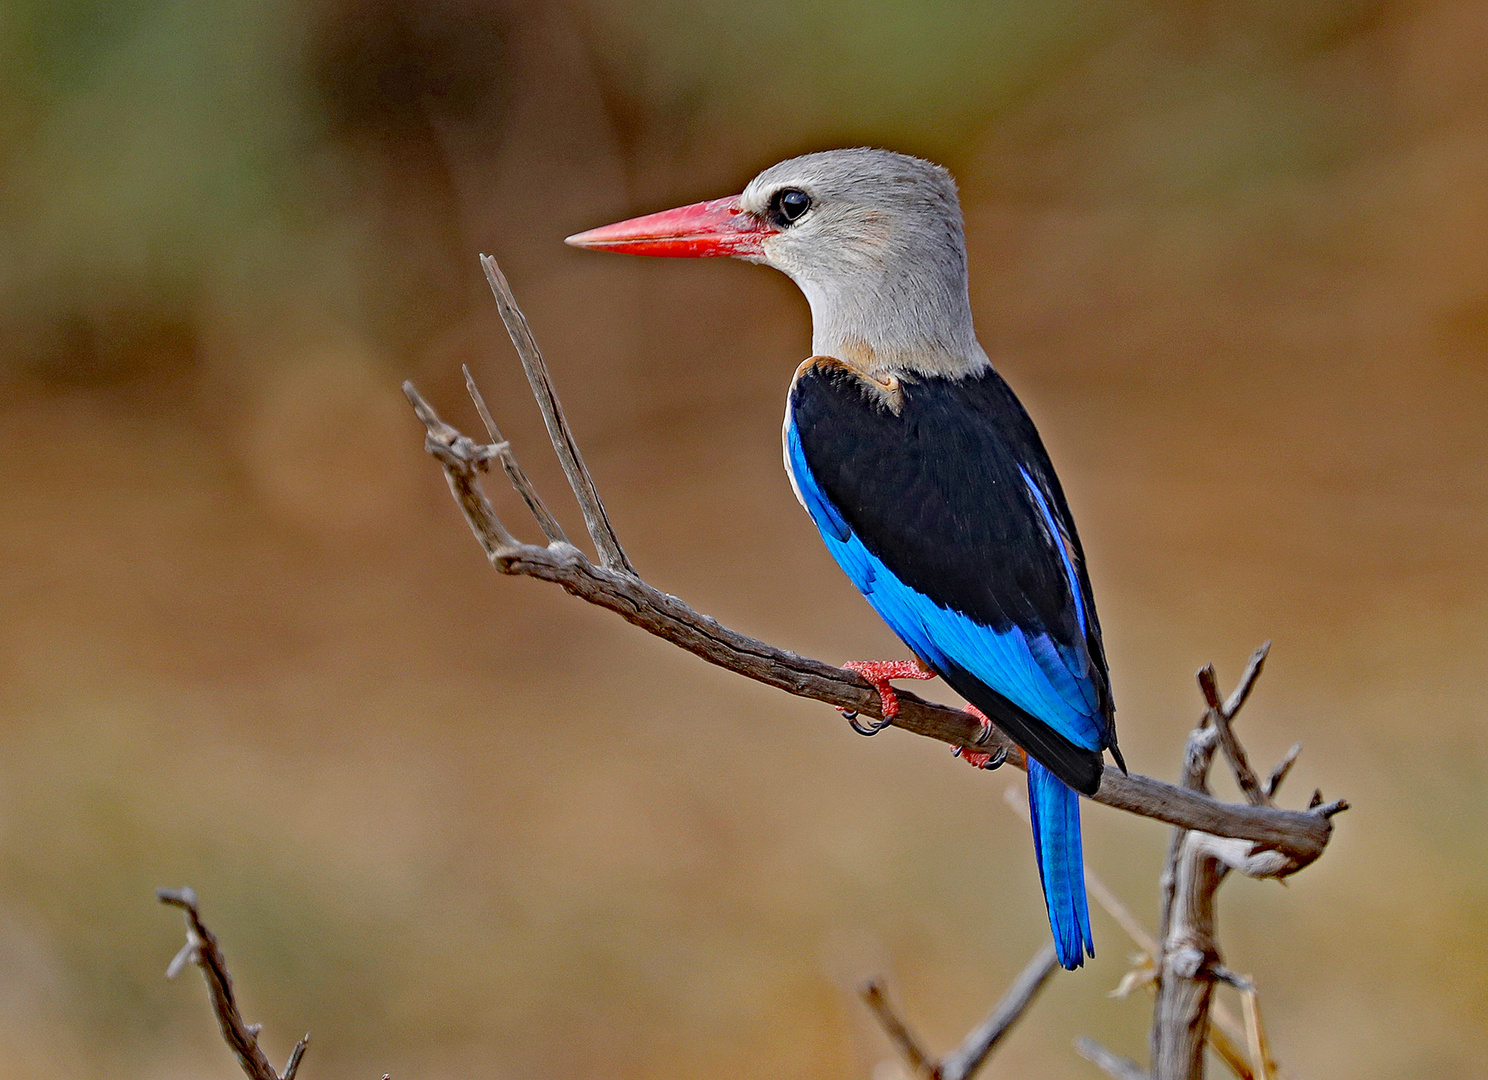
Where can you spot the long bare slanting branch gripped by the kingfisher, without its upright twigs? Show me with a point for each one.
(1300, 835)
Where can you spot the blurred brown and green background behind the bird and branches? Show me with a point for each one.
(1233, 255)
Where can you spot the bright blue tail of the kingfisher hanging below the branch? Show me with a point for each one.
(1062, 867)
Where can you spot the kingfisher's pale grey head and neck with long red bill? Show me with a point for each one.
(873, 239)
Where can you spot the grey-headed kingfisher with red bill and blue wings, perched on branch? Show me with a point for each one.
(923, 472)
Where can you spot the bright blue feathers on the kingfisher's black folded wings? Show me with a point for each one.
(1030, 670)
